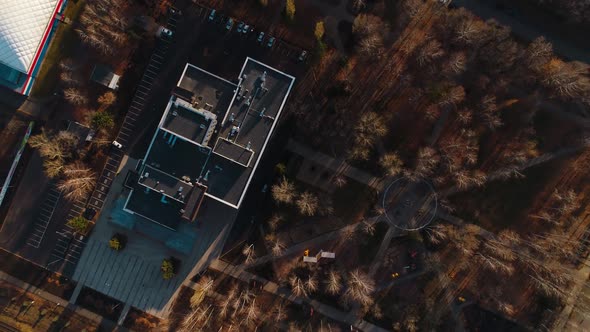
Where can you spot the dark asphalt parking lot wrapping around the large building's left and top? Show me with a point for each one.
(40, 233)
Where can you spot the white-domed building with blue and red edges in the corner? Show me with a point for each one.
(26, 28)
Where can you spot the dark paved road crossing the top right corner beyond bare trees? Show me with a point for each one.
(525, 28)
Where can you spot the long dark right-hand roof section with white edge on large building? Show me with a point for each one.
(254, 111)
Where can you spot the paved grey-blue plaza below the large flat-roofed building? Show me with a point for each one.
(133, 275)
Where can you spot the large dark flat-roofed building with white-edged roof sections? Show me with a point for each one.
(209, 141)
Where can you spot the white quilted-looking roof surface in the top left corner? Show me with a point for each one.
(23, 26)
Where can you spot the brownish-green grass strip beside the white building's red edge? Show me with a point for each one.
(62, 44)
